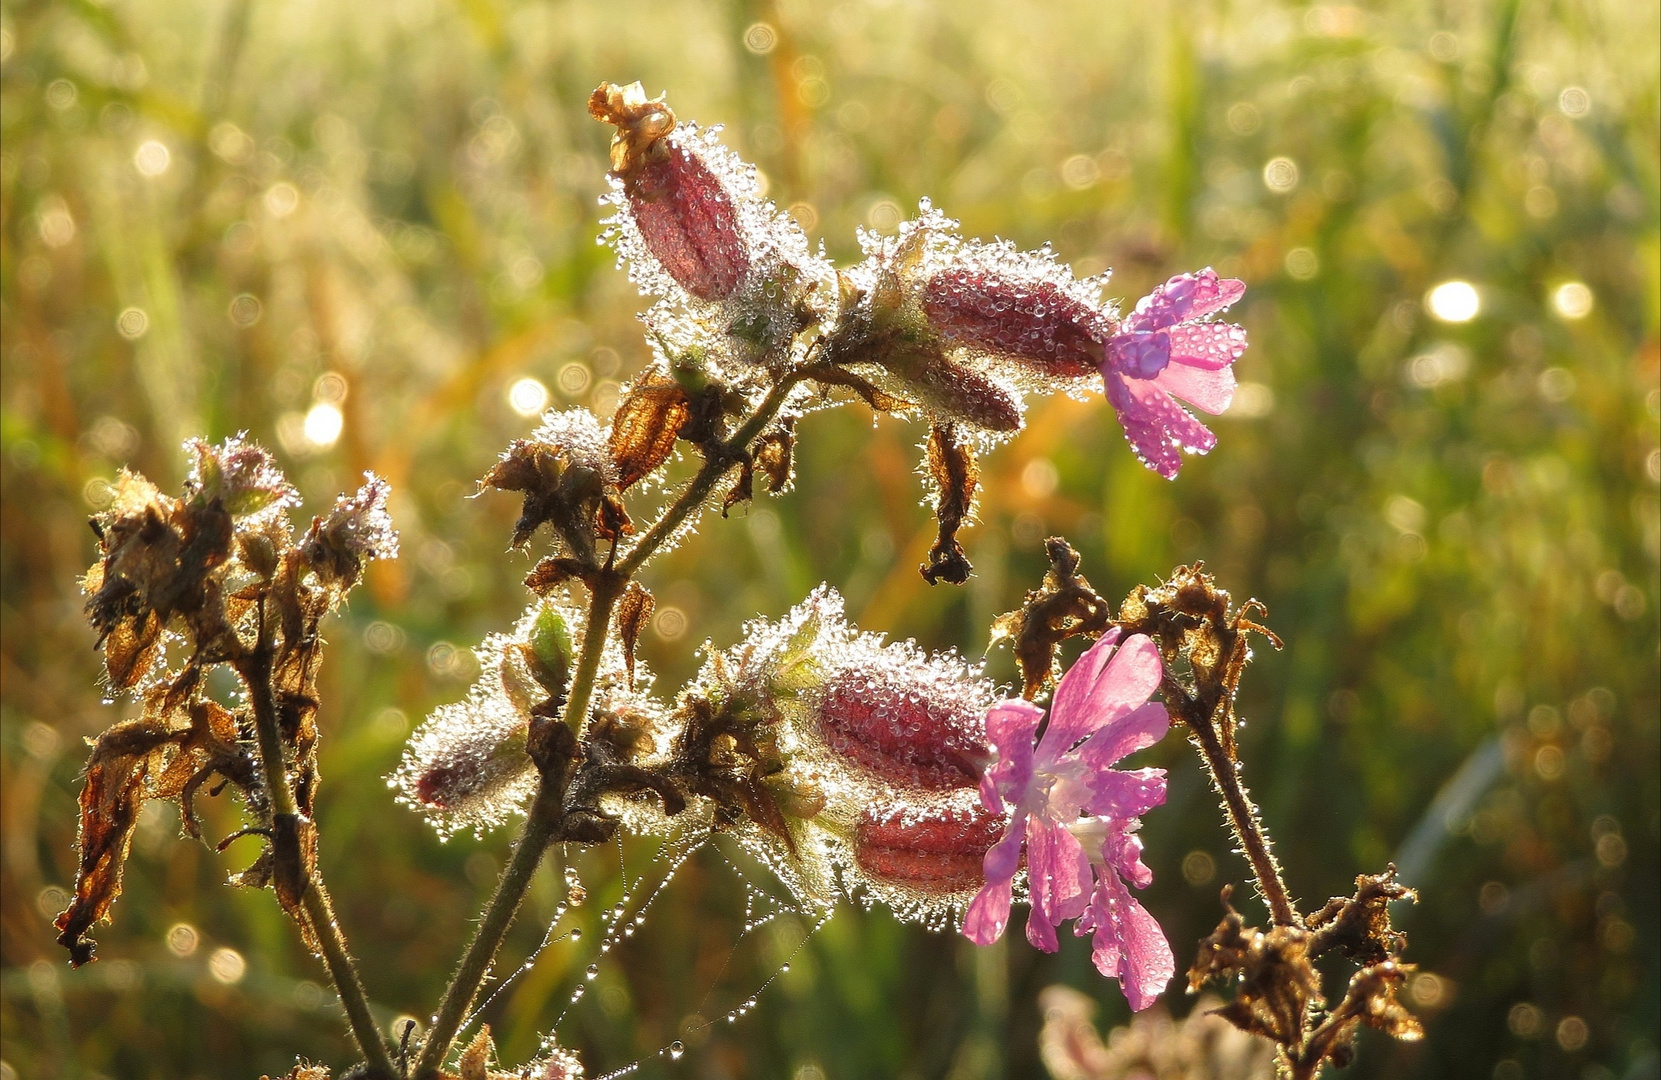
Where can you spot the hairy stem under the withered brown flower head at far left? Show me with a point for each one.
(288, 858)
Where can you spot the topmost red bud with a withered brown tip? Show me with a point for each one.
(685, 215)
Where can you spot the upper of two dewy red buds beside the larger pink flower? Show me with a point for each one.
(906, 722)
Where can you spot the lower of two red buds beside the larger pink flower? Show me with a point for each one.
(934, 852)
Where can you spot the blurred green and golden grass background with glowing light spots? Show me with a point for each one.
(227, 215)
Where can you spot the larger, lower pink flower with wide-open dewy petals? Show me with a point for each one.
(1077, 818)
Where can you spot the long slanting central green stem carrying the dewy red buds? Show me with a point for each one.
(547, 812)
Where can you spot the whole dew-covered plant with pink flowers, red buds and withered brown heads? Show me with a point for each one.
(853, 768)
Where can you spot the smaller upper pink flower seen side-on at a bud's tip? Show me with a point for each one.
(1165, 351)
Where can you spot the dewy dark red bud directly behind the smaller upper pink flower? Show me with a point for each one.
(1036, 322)
